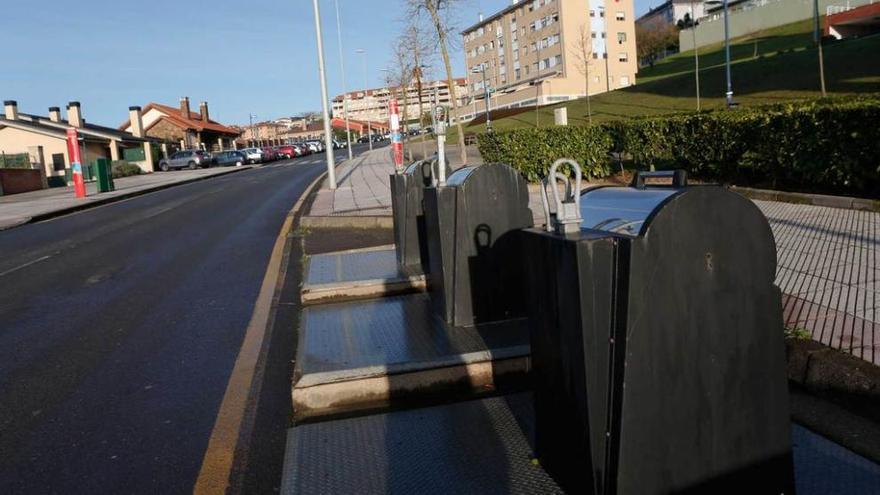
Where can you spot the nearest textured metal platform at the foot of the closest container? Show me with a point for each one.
(486, 447)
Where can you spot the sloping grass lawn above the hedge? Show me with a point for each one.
(783, 70)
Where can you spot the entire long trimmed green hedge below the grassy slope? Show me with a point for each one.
(819, 146)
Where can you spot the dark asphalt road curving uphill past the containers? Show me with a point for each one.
(120, 325)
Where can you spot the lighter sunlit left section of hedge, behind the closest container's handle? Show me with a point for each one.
(533, 151)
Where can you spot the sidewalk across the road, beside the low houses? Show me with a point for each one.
(18, 209)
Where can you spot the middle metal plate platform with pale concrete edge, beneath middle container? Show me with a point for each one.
(372, 354)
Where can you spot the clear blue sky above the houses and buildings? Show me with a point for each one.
(243, 57)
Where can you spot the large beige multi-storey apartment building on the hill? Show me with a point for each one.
(544, 51)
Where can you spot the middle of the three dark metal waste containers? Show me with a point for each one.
(473, 225)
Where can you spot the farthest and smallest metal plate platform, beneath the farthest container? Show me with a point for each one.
(357, 274)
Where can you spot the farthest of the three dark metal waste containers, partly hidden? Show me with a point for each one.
(407, 205)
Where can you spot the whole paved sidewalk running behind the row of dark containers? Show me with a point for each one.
(828, 265)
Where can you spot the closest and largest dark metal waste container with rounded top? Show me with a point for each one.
(657, 345)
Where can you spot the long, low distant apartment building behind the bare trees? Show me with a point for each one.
(372, 104)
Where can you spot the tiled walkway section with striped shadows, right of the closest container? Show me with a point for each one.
(828, 273)
